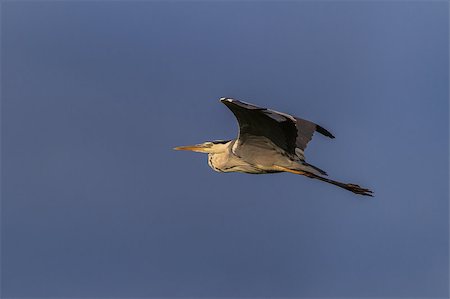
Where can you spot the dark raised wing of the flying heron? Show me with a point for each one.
(286, 131)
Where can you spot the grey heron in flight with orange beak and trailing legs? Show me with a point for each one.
(268, 142)
